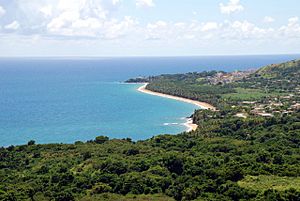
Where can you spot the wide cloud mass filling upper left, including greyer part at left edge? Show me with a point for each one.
(71, 19)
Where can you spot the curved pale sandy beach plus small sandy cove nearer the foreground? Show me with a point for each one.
(189, 124)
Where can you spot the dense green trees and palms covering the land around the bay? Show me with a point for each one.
(226, 158)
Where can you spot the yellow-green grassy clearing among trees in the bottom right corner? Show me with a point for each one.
(264, 182)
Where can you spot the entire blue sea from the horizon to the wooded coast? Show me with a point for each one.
(63, 100)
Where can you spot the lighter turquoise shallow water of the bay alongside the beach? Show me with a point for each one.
(65, 113)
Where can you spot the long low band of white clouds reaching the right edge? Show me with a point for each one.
(225, 31)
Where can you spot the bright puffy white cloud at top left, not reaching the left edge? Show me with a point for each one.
(88, 18)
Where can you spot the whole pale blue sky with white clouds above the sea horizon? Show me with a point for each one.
(95, 28)
